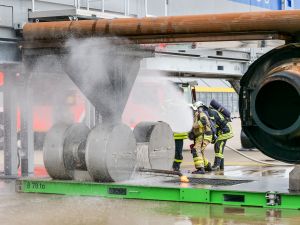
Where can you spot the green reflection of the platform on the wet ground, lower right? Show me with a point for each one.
(218, 214)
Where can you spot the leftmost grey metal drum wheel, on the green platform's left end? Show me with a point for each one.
(59, 144)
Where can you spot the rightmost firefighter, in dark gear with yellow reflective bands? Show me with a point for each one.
(223, 132)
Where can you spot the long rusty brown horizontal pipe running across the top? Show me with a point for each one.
(283, 22)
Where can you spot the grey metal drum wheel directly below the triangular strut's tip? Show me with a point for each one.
(111, 153)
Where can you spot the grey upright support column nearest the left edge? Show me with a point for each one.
(10, 121)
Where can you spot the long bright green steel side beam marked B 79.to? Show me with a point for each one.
(178, 194)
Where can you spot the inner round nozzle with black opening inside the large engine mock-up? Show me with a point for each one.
(277, 103)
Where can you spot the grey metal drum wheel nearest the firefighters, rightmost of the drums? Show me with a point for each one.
(161, 144)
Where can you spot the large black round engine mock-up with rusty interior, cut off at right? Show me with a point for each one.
(270, 103)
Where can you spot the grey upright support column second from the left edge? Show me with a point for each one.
(26, 131)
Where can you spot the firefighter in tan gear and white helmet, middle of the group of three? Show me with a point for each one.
(202, 137)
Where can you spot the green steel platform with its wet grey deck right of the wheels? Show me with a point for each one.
(266, 192)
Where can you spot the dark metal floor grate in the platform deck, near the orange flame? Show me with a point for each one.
(210, 181)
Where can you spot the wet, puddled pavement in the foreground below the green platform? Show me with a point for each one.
(22, 208)
